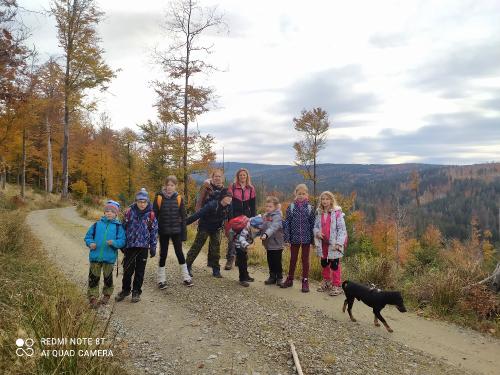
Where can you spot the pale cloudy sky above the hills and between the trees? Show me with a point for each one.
(402, 81)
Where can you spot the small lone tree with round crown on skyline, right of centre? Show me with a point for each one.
(313, 125)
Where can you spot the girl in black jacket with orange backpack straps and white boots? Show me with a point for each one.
(168, 207)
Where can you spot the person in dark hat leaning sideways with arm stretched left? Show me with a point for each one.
(211, 220)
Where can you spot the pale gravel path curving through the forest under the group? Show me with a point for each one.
(219, 327)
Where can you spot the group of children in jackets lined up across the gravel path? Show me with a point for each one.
(165, 218)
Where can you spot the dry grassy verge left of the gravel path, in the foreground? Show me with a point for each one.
(37, 301)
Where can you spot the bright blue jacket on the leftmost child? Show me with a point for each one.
(105, 230)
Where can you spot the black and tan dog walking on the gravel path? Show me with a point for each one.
(375, 298)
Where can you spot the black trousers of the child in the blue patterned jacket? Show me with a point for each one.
(134, 264)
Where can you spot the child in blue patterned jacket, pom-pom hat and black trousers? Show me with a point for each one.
(141, 228)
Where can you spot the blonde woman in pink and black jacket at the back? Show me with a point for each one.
(243, 204)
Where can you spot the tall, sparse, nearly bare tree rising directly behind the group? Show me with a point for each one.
(179, 100)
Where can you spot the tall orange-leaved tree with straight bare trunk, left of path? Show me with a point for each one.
(84, 67)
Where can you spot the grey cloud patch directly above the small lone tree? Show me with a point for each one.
(332, 89)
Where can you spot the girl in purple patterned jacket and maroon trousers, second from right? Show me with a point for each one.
(298, 231)
